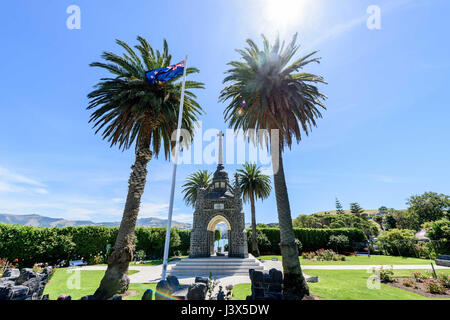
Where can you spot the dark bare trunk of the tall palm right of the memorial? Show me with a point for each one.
(294, 284)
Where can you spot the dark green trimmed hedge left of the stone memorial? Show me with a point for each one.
(31, 244)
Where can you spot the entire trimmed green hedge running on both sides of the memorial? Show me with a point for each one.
(30, 244)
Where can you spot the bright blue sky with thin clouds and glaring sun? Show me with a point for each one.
(383, 138)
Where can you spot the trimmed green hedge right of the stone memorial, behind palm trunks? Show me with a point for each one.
(311, 239)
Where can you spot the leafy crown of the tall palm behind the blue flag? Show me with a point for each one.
(127, 110)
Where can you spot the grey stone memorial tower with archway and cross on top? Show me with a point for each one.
(219, 202)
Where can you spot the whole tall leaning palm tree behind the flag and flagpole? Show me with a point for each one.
(128, 110)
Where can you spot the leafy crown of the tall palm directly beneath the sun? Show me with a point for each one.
(276, 94)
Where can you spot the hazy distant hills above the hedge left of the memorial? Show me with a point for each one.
(41, 221)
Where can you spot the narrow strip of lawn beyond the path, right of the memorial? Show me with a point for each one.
(360, 260)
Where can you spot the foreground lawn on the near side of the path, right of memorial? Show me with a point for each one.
(348, 285)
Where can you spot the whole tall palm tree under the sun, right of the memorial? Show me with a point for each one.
(266, 92)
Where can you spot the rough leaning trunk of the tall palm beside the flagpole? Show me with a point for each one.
(115, 280)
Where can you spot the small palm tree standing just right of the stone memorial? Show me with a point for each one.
(254, 185)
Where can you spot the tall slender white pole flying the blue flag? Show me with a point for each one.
(174, 173)
